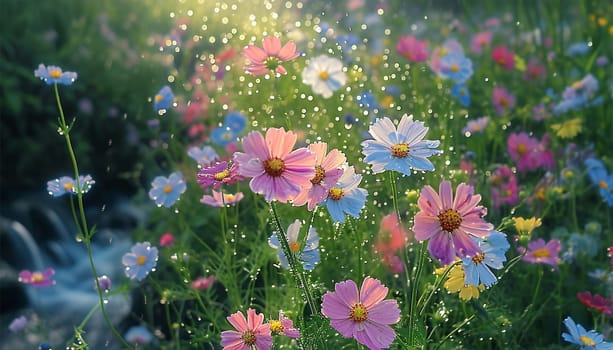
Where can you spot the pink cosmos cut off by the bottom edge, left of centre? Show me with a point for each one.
(250, 332)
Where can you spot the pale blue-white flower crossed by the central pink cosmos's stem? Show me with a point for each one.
(309, 255)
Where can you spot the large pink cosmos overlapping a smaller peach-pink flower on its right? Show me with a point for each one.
(277, 172)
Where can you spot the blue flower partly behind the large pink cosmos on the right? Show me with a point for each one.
(477, 268)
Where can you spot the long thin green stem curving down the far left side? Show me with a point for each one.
(87, 233)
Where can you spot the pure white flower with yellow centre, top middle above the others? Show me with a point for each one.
(325, 75)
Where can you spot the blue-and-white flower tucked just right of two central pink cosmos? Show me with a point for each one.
(345, 197)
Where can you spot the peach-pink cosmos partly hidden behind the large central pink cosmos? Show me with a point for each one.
(328, 169)
